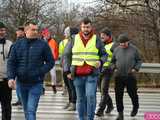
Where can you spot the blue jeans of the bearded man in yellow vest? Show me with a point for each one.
(86, 96)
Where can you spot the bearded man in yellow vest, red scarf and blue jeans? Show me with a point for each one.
(82, 59)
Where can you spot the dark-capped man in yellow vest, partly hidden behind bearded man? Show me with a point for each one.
(106, 74)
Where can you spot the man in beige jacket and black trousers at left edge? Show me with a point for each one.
(5, 91)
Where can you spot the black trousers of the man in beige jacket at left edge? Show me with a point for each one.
(5, 99)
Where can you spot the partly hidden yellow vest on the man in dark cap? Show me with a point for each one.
(108, 50)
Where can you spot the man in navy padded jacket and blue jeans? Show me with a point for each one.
(30, 58)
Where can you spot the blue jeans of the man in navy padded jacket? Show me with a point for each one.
(30, 95)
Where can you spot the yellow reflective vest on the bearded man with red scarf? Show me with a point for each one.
(81, 53)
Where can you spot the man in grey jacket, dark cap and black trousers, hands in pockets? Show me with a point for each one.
(126, 61)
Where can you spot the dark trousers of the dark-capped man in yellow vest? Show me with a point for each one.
(104, 81)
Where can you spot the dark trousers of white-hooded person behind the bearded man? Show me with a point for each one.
(70, 88)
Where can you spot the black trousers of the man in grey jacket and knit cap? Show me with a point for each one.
(131, 84)
